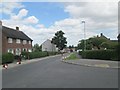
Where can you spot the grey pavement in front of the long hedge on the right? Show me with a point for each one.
(93, 63)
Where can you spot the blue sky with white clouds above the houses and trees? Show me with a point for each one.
(40, 20)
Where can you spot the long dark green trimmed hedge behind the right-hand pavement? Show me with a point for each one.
(100, 54)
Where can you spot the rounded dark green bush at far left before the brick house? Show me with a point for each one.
(7, 58)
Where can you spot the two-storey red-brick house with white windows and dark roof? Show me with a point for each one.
(15, 41)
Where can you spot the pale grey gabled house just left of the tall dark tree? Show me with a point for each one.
(48, 46)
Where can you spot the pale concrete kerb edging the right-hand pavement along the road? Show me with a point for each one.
(89, 65)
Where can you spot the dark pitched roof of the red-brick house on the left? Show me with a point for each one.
(12, 33)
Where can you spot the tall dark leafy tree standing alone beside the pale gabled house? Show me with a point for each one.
(59, 40)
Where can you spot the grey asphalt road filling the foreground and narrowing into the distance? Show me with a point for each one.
(52, 73)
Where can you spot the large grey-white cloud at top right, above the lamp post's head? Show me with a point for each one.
(94, 10)
